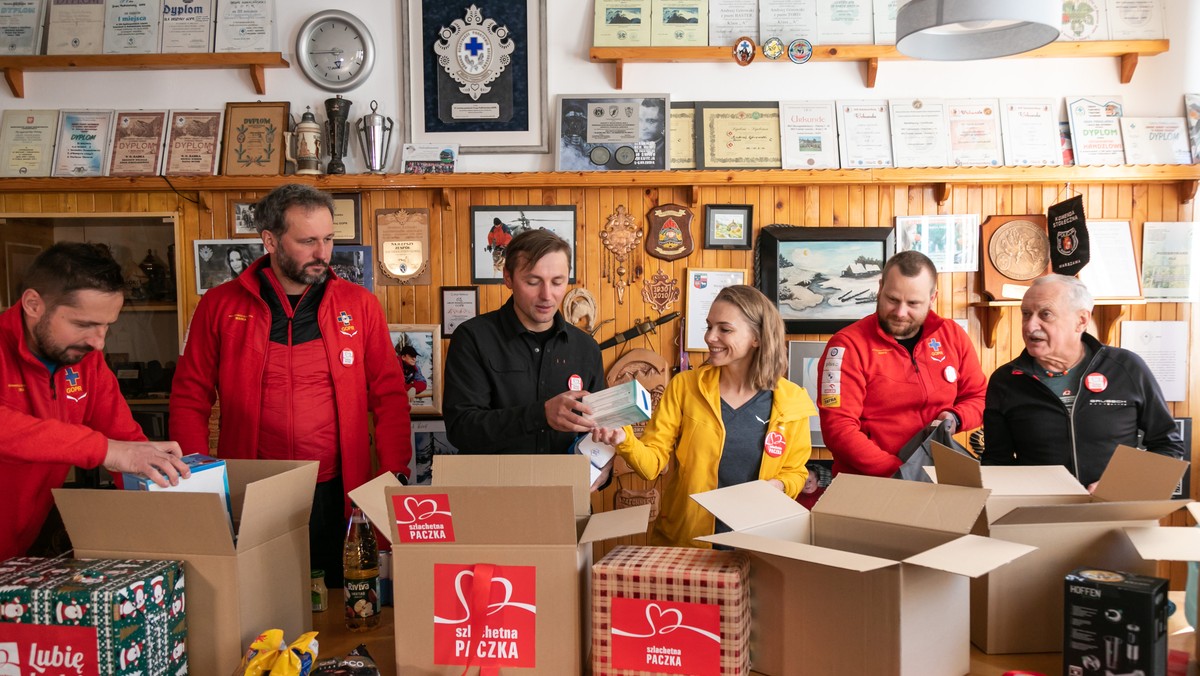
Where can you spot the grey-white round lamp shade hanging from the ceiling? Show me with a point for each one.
(962, 31)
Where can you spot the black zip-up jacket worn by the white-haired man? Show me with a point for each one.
(1027, 424)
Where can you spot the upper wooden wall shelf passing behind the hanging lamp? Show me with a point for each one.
(1127, 53)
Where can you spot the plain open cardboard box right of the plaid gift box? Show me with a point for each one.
(874, 581)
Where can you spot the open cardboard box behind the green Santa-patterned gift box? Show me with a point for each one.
(235, 590)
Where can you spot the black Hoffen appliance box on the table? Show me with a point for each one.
(1114, 621)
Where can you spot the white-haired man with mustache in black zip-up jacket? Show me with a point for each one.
(1069, 399)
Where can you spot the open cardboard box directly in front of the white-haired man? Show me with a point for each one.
(1021, 608)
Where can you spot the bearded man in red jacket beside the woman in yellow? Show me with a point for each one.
(891, 374)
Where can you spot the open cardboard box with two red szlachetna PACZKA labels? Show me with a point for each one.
(520, 522)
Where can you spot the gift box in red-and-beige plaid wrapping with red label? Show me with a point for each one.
(671, 611)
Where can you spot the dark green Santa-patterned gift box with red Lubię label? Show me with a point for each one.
(124, 618)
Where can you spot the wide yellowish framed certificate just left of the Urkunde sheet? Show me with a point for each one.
(737, 136)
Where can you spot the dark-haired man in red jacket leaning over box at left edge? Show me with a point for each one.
(61, 405)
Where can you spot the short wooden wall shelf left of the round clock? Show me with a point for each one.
(15, 68)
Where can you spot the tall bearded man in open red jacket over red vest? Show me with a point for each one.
(297, 356)
